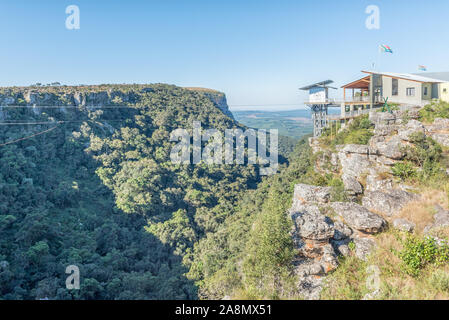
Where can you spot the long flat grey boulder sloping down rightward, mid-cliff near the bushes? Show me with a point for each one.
(358, 217)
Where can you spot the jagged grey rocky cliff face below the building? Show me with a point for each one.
(324, 229)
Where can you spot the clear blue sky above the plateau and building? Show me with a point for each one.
(257, 52)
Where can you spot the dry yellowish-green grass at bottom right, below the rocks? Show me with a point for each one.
(350, 281)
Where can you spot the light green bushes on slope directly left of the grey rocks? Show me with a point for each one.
(232, 261)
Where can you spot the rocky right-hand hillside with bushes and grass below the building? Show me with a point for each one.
(369, 217)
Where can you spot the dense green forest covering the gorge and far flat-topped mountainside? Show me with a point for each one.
(98, 190)
